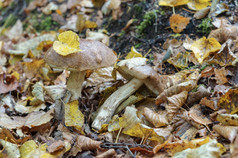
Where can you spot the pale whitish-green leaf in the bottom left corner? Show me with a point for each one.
(11, 149)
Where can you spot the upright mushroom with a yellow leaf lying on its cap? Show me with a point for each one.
(94, 55)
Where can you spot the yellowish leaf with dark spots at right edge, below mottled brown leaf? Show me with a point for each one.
(228, 119)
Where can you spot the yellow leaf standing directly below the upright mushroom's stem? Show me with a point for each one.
(73, 116)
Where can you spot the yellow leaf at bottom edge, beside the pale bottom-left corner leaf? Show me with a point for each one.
(31, 149)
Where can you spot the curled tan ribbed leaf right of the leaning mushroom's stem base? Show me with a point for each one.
(156, 119)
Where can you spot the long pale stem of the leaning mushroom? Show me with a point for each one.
(107, 110)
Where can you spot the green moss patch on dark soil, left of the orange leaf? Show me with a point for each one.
(148, 19)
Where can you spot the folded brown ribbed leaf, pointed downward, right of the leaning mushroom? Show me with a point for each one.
(174, 103)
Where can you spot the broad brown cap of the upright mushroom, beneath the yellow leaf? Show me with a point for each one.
(94, 55)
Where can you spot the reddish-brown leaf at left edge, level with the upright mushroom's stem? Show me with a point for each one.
(7, 83)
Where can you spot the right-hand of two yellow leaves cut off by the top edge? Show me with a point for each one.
(198, 4)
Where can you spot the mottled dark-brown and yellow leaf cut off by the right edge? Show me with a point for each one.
(229, 101)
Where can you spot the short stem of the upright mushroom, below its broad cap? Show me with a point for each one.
(74, 83)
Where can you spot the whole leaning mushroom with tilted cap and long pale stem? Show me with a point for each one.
(135, 70)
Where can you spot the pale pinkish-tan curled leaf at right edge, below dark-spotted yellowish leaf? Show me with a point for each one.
(228, 132)
